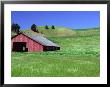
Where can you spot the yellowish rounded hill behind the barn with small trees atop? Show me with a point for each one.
(57, 32)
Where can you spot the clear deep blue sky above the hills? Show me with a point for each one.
(69, 19)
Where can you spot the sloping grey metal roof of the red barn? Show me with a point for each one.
(42, 40)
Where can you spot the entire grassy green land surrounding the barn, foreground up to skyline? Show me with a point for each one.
(79, 56)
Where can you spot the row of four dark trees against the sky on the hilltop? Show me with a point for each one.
(16, 28)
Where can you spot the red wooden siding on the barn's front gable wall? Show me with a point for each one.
(30, 44)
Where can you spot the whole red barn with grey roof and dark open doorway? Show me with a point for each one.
(23, 43)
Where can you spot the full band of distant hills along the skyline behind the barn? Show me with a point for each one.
(62, 32)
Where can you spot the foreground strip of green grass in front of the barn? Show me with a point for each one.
(46, 64)
